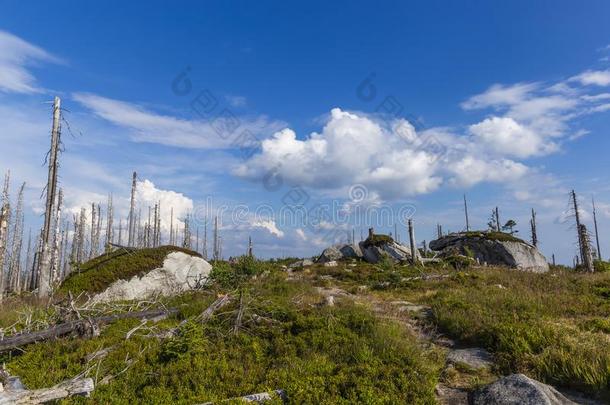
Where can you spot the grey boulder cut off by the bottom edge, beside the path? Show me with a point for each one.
(518, 389)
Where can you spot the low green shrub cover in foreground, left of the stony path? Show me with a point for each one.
(317, 354)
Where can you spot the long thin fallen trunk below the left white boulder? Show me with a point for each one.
(81, 326)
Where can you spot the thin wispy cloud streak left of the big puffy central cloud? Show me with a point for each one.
(147, 126)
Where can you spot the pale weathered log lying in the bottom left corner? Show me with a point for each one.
(83, 386)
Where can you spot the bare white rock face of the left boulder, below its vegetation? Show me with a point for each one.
(180, 272)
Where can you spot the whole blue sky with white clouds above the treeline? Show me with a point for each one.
(510, 104)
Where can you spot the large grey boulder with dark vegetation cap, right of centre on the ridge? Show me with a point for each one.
(494, 249)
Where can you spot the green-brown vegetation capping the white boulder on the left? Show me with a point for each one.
(97, 274)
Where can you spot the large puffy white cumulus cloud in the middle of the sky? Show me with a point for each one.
(390, 159)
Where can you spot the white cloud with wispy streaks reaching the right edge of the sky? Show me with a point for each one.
(534, 119)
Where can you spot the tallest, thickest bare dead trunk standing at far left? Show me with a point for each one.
(44, 283)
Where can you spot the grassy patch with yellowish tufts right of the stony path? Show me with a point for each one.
(552, 327)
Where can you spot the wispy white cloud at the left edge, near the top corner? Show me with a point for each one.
(15, 56)
